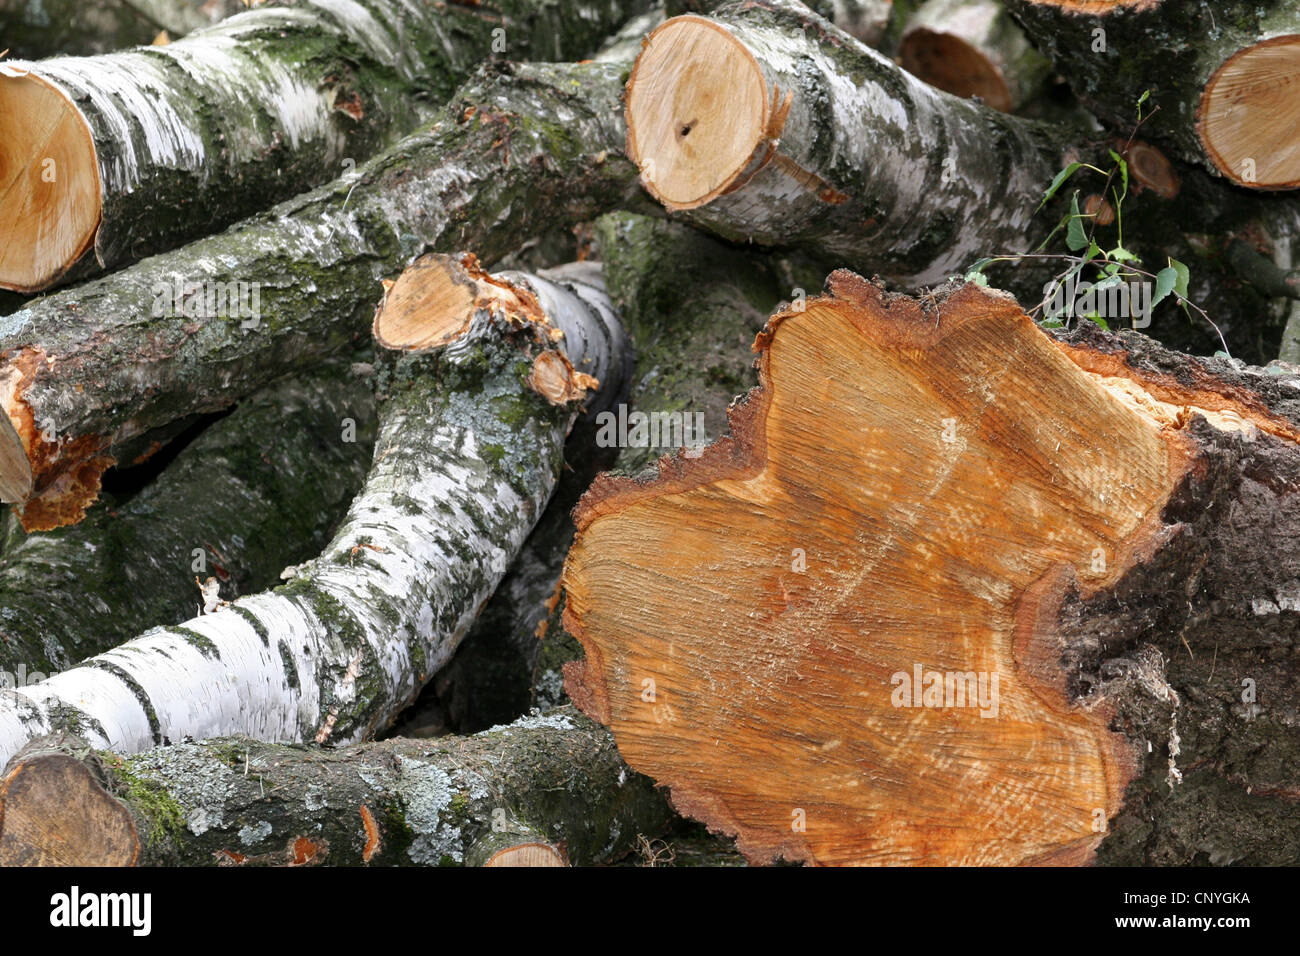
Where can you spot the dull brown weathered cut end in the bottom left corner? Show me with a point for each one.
(54, 812)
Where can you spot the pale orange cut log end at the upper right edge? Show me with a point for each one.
(1250, 116)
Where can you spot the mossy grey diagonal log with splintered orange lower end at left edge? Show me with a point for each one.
(549, 133)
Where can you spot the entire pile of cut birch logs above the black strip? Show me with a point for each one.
(864, 429)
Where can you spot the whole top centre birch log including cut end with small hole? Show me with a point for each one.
(827, 144)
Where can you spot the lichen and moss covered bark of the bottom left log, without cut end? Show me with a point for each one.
(237, 801)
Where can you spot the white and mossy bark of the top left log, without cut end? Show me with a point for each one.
(275, 102)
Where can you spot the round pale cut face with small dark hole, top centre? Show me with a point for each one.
(697, 111)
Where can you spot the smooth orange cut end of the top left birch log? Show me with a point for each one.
(50, 189)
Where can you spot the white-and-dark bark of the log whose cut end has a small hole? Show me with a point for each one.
(860, 161)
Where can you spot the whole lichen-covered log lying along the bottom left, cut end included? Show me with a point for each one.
(552, 784)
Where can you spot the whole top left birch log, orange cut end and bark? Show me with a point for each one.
(129, 154)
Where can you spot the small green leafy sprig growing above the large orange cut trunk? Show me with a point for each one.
(1090, 265)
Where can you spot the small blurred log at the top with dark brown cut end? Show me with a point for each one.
(973, 49)
